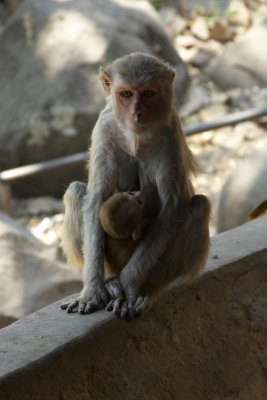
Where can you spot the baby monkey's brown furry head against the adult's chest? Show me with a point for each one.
(121, 215)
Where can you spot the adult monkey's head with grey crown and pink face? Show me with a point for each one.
(140, 86)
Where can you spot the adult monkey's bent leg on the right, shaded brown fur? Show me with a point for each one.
(184, 257)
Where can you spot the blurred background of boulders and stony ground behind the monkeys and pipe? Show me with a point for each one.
(50, 52)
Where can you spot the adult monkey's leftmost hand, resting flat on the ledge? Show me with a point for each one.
(90, 300)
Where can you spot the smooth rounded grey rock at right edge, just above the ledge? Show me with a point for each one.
(243, 191)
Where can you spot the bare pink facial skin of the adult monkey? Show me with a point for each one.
(138, 104)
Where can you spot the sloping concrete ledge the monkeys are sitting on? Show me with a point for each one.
(206, 340)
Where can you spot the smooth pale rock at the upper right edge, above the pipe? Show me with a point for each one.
(244, 64)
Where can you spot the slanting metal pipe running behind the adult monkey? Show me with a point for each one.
(15, 174)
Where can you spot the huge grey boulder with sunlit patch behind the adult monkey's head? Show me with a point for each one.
(50, 95)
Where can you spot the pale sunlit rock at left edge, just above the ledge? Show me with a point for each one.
(31, 274)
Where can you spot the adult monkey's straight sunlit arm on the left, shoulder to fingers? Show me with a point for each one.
(101, 185)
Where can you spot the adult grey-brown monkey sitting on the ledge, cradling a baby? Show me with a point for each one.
(138, 138)
